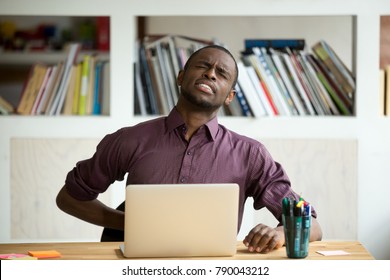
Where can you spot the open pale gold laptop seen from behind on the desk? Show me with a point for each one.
(180, 220)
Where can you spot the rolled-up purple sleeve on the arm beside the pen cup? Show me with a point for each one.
(270, 184)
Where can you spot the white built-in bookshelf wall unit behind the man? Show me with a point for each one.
(345, 152)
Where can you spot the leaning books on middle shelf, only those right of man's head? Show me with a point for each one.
(281, 78)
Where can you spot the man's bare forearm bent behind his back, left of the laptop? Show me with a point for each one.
(92, 211)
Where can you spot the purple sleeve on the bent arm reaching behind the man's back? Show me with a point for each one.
(93, 176)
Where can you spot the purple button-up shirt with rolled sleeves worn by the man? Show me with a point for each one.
(156, 152)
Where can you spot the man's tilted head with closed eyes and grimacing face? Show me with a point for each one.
(207, 81)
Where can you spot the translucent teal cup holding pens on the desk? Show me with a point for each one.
(297, 235)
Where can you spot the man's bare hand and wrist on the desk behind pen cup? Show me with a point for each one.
(263, 239)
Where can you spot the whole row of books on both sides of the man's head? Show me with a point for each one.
(276, 78)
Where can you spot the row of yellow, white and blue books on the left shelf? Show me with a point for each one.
(75, 86)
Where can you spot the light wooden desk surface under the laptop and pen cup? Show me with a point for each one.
(111, 251)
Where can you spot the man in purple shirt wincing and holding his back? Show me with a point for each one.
(187, 146)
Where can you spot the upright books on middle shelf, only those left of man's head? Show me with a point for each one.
(160, 59)
